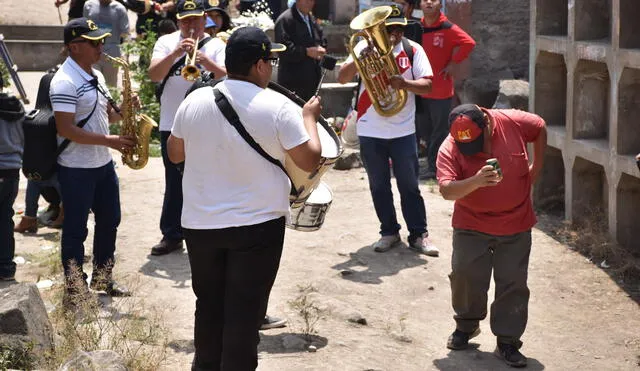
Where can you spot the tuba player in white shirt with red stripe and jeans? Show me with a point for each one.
(385, 139)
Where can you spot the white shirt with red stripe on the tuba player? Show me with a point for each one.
(370, 123)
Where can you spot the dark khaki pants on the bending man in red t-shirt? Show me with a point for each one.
(475, 255)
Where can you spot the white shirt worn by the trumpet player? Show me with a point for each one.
(176, 86)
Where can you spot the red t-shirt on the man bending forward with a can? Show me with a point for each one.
(505, 209)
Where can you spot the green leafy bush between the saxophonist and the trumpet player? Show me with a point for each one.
(142, 48)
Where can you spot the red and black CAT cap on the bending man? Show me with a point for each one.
(466, 126)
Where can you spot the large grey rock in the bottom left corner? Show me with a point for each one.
(24, 324)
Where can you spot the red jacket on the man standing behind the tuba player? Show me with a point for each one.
(439, 41)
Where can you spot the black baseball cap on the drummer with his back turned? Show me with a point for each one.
(249, 44)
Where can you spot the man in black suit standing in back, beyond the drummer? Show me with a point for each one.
(299, 68)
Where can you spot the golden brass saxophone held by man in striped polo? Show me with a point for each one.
(134, 125)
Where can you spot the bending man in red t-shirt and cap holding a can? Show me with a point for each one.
(492, 219)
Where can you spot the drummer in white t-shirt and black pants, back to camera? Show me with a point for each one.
(235, 201)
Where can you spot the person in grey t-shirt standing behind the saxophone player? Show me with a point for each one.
(112, 16)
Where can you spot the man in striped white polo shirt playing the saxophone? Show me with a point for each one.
(86, 173)
